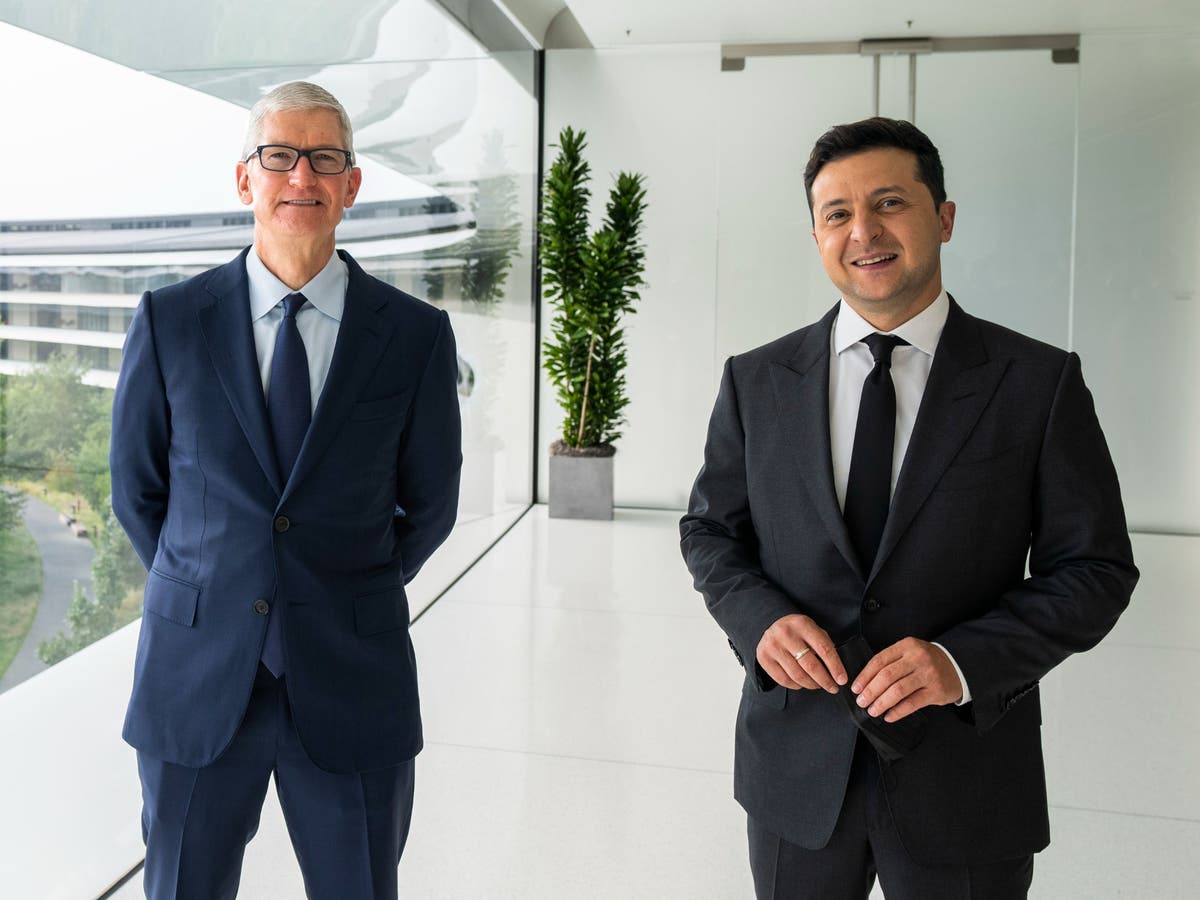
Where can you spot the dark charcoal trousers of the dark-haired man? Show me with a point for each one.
(866, 844)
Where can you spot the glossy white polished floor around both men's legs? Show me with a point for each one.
(579, 710)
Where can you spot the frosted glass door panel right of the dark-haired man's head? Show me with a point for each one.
(1005, 125)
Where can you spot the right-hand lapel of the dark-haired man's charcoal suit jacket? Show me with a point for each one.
(962, 383)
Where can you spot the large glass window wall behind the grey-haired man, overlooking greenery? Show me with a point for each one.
(143, 196)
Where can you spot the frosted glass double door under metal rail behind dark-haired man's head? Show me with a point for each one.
(1005, 124)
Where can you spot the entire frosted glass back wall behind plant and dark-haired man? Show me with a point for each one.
(1075, 225)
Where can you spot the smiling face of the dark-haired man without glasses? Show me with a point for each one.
(880, 236)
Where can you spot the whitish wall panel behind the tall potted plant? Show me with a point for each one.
(652, 112)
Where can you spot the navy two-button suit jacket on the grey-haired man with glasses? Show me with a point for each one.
(197, 489)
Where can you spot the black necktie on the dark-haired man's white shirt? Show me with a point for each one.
(869, 488)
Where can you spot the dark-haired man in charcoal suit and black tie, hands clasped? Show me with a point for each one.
(873, 488)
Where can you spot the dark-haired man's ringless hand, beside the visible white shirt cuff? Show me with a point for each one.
(905, 677)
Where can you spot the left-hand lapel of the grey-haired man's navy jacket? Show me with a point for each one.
(225, 322)
